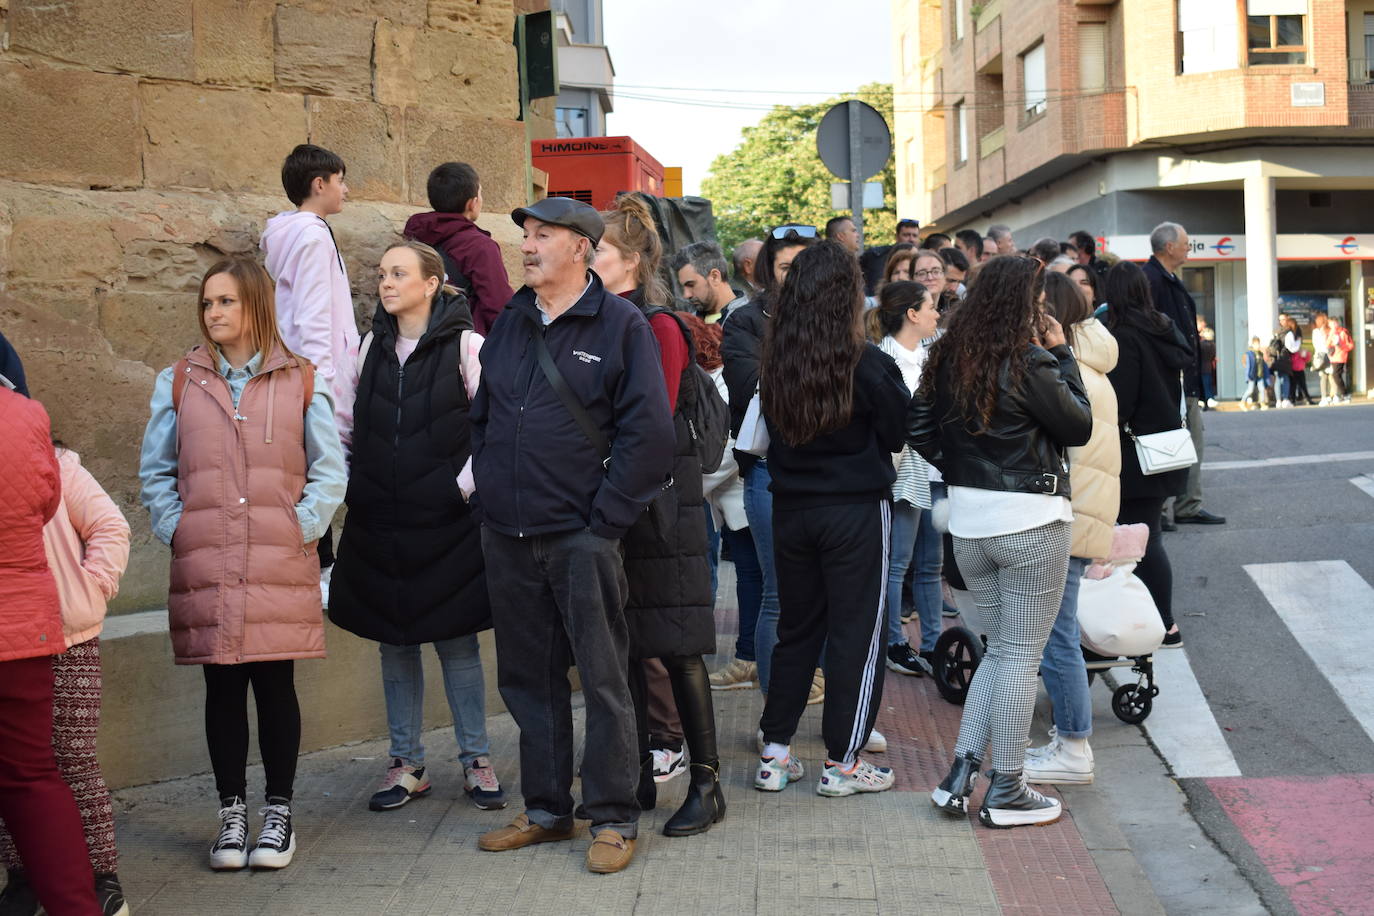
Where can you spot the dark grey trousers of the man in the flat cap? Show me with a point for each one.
(560, 601)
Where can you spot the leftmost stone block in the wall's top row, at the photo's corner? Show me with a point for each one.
(152, 38)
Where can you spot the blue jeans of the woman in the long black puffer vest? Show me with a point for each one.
(403, 682)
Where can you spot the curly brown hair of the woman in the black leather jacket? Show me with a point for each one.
(993, 329)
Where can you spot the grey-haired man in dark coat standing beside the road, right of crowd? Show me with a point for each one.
(1170, 244)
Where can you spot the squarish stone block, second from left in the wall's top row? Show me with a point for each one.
(234, 42)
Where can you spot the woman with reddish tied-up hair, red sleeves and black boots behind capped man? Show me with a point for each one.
(671, 601)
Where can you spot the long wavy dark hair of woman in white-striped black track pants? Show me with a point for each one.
(813, 345)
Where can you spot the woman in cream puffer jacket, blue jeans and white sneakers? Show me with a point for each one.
(1094, 477)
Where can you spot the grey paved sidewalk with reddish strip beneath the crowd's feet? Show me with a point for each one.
(787, 854)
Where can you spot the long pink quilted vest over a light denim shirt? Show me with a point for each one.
(245, 584)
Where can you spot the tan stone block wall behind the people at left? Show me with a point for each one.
(144, 139)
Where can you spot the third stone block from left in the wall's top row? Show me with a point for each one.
(325, 54)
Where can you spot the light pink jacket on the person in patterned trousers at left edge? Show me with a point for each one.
(89, 550)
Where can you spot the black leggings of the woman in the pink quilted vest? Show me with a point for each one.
(227, 726)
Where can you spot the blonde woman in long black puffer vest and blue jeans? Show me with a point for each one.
(412, 571)
